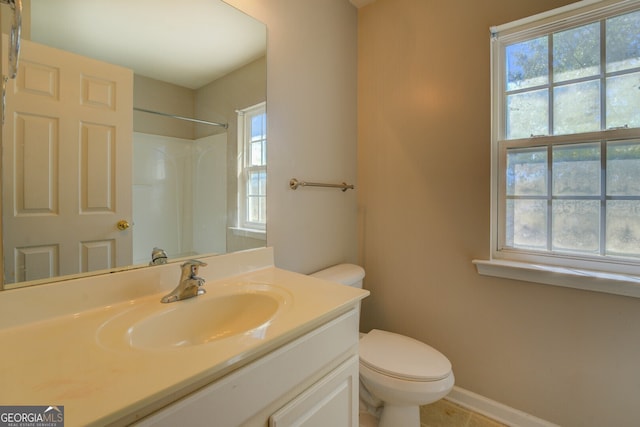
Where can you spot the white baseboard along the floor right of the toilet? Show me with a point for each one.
(495, 410)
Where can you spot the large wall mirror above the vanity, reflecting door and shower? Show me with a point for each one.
(196, 59)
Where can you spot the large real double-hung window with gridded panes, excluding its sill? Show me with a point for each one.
(566, 138)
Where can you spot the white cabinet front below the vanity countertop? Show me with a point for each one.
(310, 381)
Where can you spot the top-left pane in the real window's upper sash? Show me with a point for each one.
(527, 64)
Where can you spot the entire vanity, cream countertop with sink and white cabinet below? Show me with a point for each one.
(298, 367)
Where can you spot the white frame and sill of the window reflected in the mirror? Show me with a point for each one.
(245, 227)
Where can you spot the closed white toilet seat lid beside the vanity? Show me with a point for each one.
(402, 357)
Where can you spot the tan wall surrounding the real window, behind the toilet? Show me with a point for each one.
(567, 356)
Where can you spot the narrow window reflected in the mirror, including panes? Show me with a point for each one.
(252, 168)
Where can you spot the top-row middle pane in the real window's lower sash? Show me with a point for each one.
(576, 170)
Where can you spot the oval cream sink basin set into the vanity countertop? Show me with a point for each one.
(200, 320)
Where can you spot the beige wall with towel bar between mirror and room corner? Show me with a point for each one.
(311, 108)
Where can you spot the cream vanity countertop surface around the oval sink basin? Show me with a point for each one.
(65, 360)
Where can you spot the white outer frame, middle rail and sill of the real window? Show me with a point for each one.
(604, 275)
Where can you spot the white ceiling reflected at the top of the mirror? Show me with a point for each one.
(188, 43)
